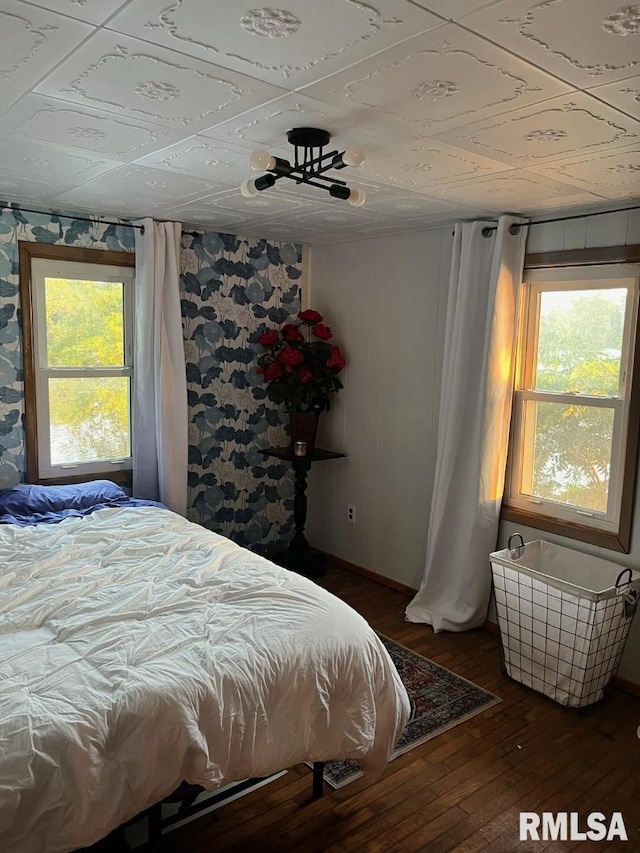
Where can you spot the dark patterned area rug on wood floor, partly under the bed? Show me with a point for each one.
(440, 699)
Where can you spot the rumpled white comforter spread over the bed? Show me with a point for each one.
(138, 650)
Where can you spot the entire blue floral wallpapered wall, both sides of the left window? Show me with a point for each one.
(232, 289)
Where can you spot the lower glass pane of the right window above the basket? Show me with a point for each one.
(570, 458)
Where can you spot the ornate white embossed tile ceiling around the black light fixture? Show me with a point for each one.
(465, 107)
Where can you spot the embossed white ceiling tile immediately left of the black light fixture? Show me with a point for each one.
(221, 162)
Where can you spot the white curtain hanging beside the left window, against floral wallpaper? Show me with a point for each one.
(160, 387)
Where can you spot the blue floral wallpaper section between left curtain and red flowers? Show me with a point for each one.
(233, 289)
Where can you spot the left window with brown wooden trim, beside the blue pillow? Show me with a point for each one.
(78, 361)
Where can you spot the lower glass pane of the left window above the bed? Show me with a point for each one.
(89, 419)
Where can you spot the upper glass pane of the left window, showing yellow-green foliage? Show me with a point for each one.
(84, 323)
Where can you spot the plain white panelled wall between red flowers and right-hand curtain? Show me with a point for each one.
(385, 299)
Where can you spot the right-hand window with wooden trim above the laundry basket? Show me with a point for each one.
(573, 437)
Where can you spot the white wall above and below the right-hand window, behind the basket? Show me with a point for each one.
(613, 229)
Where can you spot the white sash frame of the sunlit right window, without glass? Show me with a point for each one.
(536, 282)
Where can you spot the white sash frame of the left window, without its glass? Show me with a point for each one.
(42, 268)
